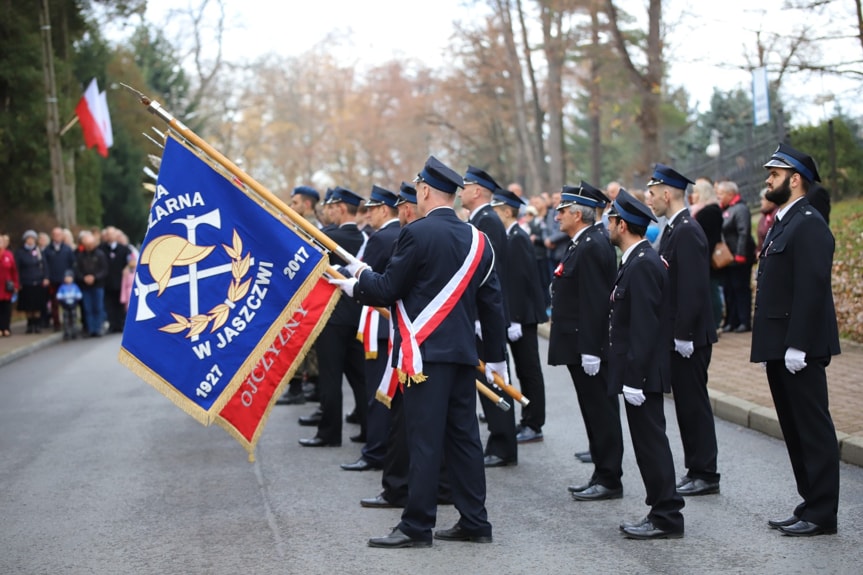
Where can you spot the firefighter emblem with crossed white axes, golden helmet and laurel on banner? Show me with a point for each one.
(166, 252)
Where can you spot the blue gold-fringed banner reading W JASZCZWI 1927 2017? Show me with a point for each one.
(218, 278)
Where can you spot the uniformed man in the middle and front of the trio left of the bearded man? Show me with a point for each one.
(639, 340)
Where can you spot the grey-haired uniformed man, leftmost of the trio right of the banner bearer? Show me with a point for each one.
(579, 338)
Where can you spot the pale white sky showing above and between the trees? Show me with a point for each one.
(706, 40)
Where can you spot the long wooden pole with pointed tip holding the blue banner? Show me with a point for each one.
(156, 109)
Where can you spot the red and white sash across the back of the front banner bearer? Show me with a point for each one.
(415, 332)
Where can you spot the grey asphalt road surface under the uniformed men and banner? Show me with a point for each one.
(101, 474)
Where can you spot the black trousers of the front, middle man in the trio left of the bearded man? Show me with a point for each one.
(653, 455)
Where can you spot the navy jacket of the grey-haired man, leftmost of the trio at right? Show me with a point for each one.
(579, 299)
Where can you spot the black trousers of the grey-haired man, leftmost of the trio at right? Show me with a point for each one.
(601, 415)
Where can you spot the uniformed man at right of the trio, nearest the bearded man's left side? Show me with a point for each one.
(684, 249)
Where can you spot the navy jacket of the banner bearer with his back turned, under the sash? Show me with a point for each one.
(428, 253)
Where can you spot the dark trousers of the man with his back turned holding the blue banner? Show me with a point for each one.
(440, 420)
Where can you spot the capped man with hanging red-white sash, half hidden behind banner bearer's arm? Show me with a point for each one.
(383, 218)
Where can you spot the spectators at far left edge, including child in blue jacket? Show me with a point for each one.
(51, 279)
